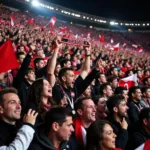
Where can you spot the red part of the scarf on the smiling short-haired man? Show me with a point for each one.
(78, 130)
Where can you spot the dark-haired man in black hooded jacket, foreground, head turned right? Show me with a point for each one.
(56, 131)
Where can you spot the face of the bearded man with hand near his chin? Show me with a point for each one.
(122, 109)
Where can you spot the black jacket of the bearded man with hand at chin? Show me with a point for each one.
(122, 134)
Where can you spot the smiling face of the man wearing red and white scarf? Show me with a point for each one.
(88, 111)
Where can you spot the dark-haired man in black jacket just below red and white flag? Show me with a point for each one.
(134, 103)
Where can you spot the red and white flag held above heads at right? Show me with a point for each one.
(128, 82)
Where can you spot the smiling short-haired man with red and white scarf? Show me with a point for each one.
(86, 112)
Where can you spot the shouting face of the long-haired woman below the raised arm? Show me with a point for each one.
(47, 89)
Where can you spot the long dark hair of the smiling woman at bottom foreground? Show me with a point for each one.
(95, 134)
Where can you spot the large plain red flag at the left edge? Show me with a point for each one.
(8, 58)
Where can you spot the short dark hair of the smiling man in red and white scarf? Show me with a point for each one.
(79, 103)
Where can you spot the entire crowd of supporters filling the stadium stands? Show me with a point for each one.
(67, 96)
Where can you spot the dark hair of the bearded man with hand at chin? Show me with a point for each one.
(114, 101)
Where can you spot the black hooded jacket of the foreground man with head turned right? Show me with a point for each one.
(41, 142)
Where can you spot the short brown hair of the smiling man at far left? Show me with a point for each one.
(6, 91)
